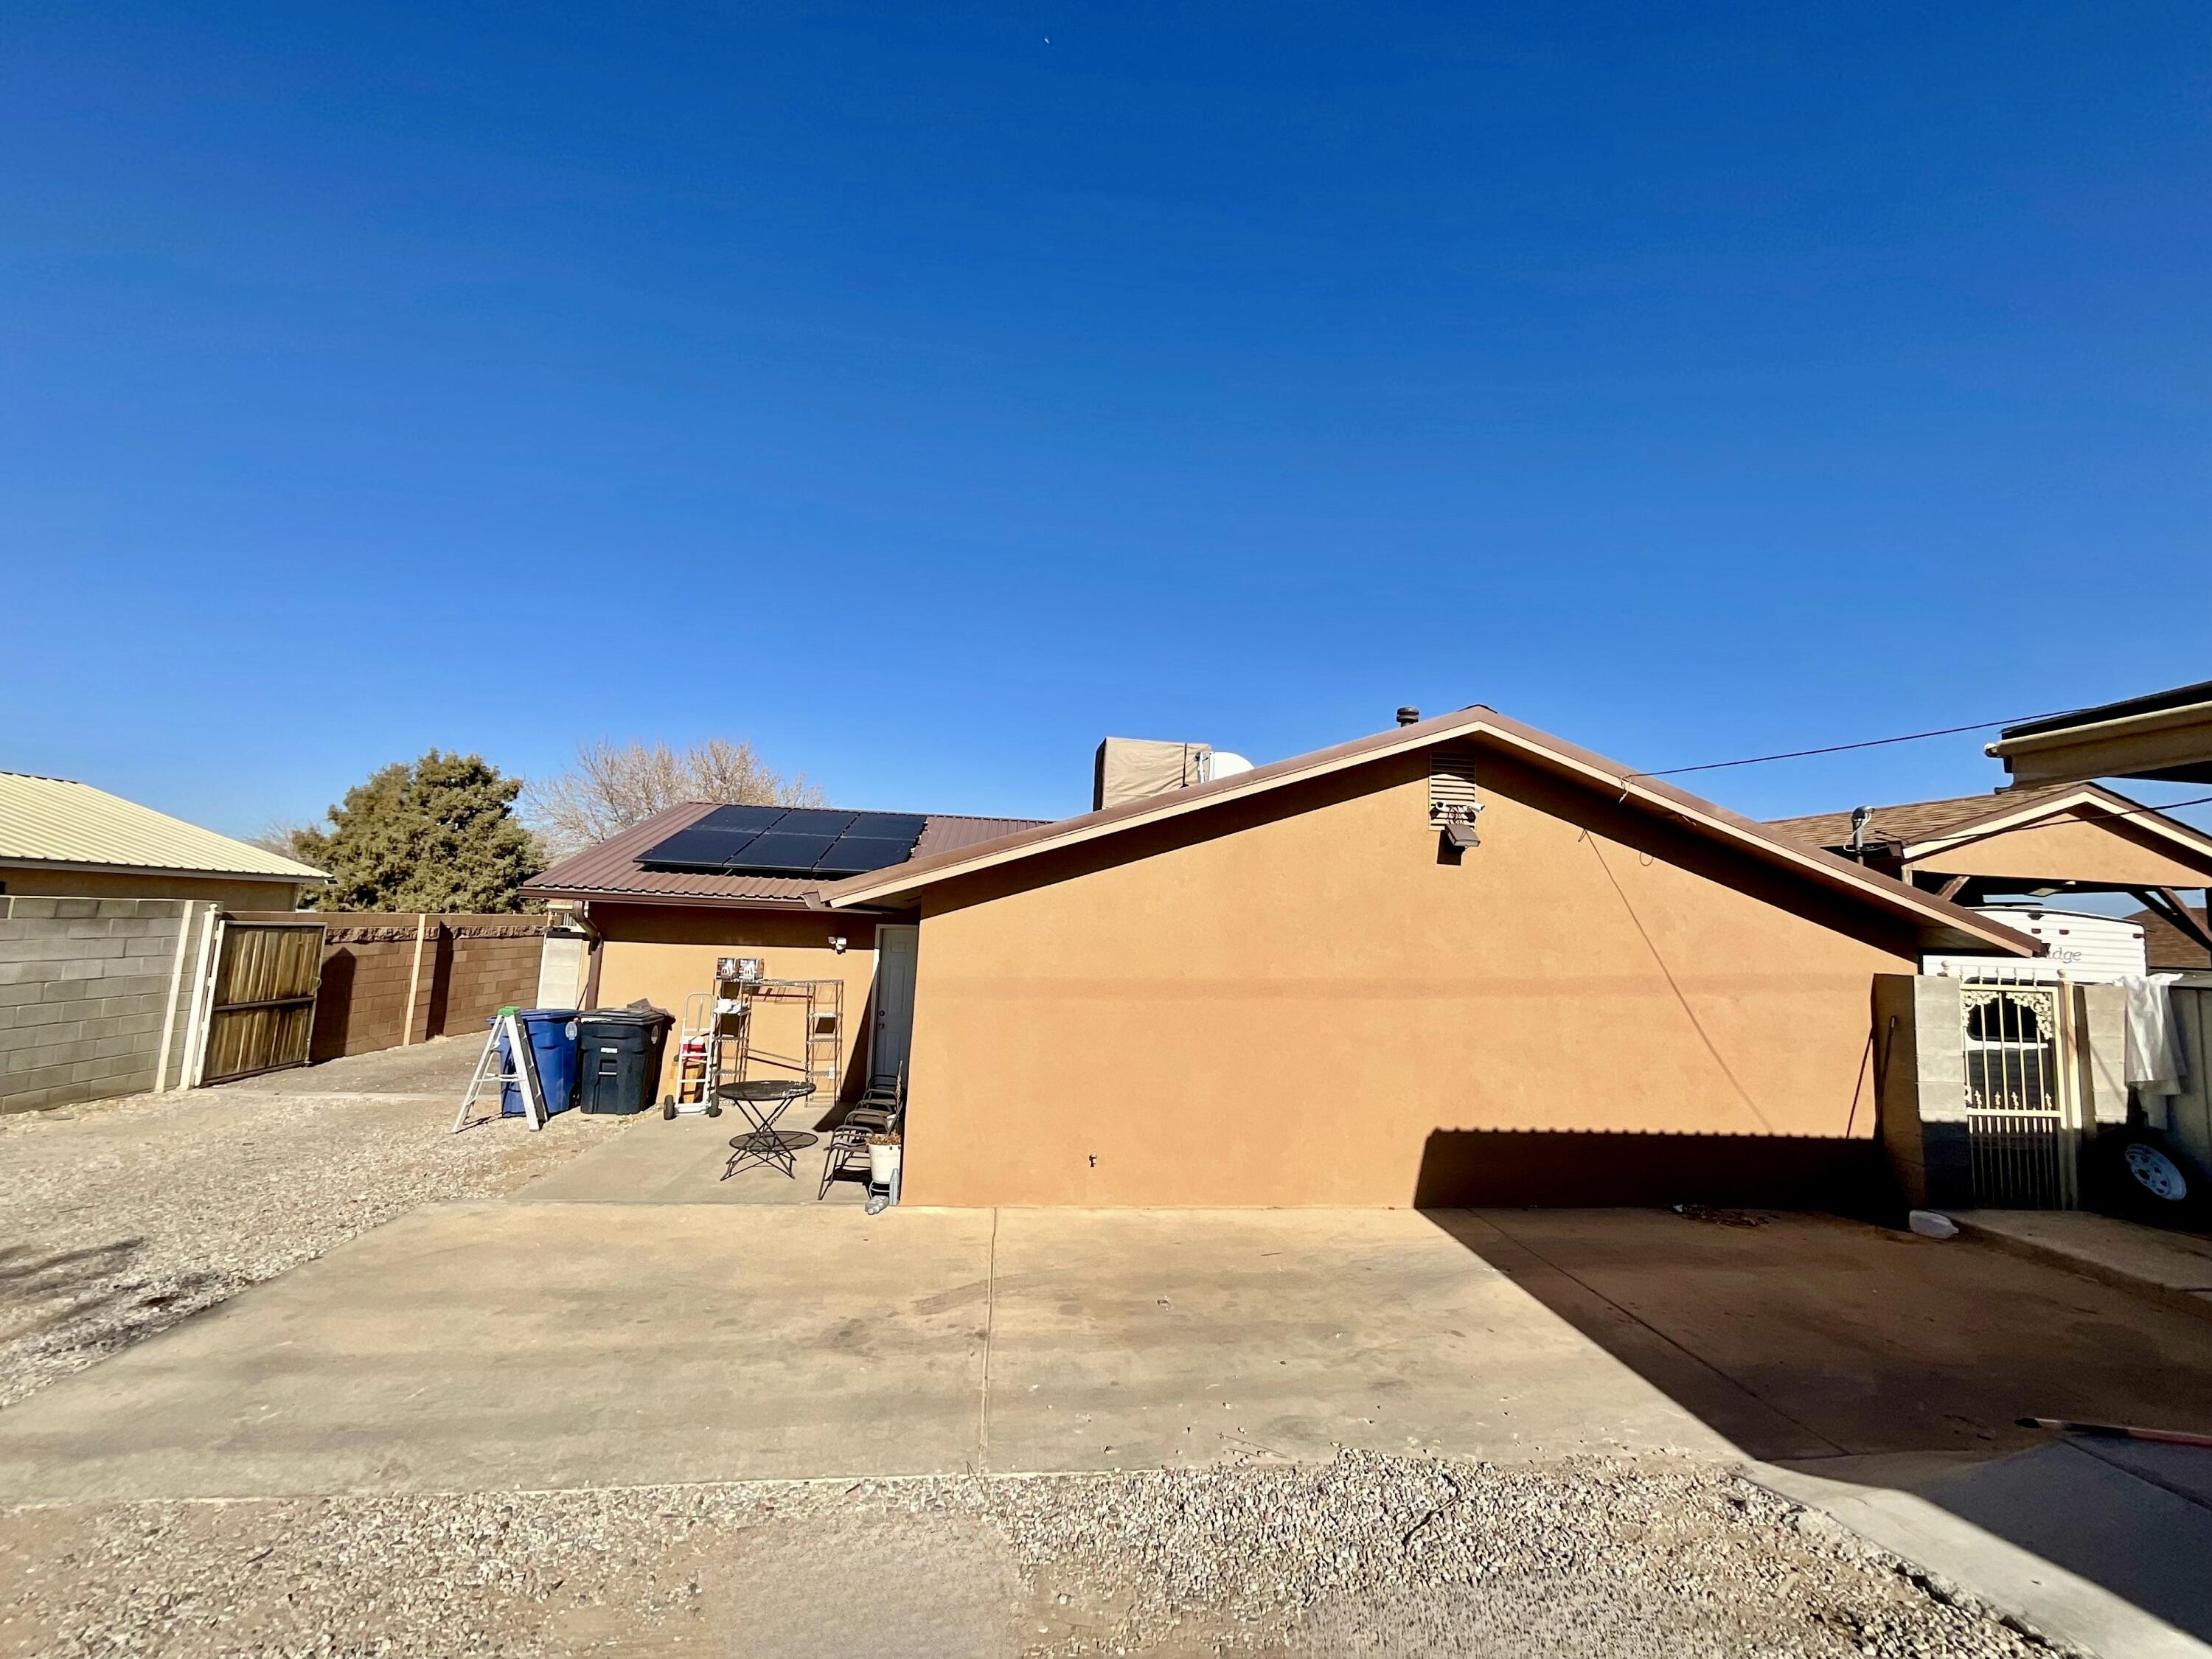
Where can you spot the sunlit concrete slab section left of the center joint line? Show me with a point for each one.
(499, 1346)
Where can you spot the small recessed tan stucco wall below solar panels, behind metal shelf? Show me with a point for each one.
(667, 952)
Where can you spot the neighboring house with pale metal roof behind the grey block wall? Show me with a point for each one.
(74, 842)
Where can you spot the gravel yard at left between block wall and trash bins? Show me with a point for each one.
(125, 1218)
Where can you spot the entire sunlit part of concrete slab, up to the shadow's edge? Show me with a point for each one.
(532, 1346)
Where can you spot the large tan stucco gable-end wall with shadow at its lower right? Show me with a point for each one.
(1300, 1003)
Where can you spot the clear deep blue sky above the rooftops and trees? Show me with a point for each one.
(926, 393)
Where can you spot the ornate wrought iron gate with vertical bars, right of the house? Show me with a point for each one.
(2023, 1118)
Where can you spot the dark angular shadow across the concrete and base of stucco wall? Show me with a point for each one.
(1866, 1355)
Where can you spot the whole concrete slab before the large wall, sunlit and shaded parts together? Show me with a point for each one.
(510, 1346)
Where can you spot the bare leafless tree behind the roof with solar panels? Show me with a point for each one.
(614, 786)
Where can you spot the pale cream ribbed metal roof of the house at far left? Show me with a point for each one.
(61, 824)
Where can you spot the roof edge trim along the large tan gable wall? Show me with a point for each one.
(1943, 926)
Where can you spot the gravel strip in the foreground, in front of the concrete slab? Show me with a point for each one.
(1366, 1556)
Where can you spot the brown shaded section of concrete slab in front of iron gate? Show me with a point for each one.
(1864, 1339)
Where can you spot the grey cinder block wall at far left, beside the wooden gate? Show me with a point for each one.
(85, 992)
